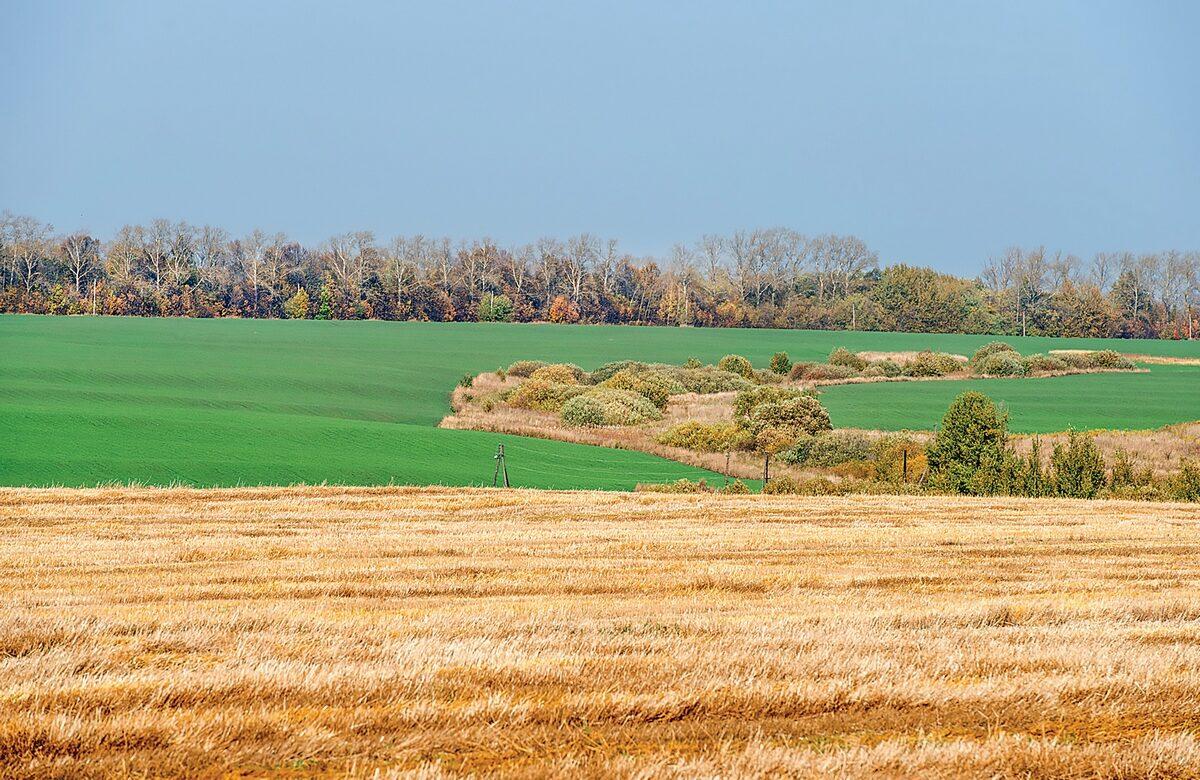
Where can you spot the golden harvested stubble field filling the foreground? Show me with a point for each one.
(428, 633)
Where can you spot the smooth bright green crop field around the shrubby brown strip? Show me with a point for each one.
(225, 403)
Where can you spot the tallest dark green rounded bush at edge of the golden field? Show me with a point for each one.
(973, 440)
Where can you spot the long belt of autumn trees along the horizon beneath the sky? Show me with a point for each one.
(753, 279)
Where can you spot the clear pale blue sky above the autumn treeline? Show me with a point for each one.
(939, 133)
